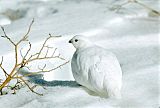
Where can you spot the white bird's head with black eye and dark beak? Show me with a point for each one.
(80, 41)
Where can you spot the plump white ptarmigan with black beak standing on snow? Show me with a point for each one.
(96, 68)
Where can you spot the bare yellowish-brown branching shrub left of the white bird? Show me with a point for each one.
(26, 59)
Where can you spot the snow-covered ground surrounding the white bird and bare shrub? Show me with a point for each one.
(132, 34)
